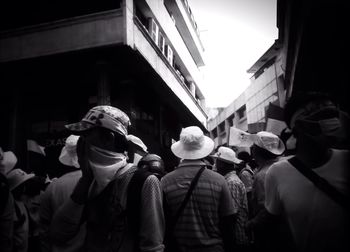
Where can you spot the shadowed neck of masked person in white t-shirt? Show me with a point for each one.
(313, 156)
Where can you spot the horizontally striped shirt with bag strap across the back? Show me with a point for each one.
(198, 226)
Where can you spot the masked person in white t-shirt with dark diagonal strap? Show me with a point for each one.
(318, 222)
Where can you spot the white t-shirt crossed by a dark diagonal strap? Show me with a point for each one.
(316, 221)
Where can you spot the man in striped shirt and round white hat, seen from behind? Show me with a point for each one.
(206, 222)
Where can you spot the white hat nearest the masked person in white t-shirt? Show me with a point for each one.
(269, 142)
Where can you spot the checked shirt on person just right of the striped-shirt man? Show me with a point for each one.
(240, 205)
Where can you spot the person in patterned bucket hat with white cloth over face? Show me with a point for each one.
(102, 190)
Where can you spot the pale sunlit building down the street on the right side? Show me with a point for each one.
(248, 111)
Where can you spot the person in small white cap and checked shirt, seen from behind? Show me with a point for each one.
(226, 165)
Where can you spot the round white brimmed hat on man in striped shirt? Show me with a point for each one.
(193, 144)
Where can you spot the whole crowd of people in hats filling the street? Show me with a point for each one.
(284, 194)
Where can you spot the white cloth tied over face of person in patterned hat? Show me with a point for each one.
(105, 164)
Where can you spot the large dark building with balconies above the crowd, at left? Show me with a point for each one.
(59, 58)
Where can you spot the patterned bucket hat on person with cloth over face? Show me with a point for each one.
(102, 116)
